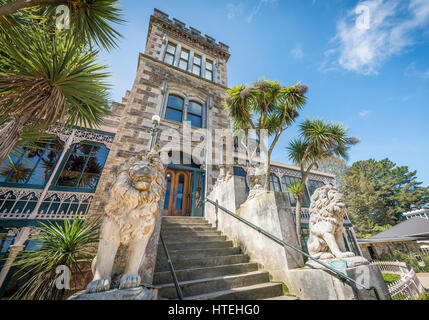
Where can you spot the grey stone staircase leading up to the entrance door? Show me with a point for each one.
(208, 266)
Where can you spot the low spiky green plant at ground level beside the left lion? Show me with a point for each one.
(68, 245)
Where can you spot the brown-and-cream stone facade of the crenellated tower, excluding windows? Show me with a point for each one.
(154, 81)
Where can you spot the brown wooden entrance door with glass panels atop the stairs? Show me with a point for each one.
(178, 193)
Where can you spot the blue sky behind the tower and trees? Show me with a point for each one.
(365, 62)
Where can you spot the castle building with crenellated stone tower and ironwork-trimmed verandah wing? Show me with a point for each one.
(182, 78)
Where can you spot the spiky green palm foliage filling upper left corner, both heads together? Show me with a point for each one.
(43, 70)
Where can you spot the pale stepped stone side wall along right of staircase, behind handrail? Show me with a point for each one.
(267, 211)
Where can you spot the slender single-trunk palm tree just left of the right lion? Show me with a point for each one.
(318, 140)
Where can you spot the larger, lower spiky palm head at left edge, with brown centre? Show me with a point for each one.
(48, 78)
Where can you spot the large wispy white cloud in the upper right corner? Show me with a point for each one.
(392, 24)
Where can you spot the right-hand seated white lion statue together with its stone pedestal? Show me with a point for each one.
(326, 243)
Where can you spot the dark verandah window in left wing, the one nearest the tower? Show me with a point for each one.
(83, 167)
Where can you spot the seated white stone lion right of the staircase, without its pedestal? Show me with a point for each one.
(327, 212)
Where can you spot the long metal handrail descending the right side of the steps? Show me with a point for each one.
(341, 276)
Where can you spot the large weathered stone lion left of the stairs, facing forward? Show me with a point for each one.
(130, 216)
